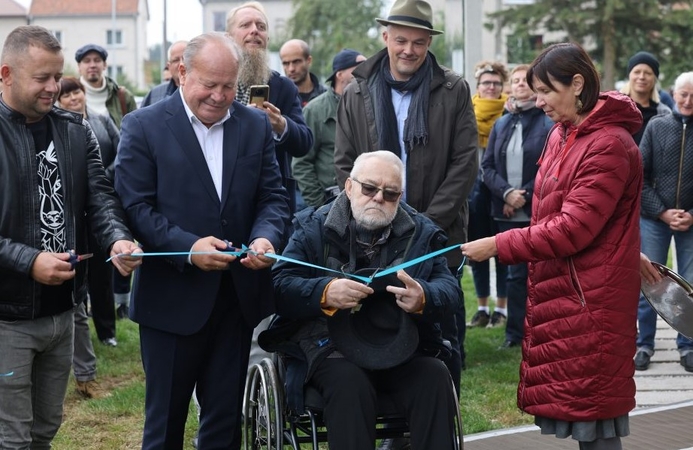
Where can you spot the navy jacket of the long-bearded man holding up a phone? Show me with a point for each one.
(298, 139)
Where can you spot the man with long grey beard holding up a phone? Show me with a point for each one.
(247, 26)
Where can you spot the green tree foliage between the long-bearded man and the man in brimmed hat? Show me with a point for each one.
(329, 27)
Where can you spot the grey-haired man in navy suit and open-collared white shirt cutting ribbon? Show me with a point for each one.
(196, 172)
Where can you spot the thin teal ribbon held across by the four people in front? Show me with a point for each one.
(243, 250)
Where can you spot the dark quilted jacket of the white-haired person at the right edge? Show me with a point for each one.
(667, 154)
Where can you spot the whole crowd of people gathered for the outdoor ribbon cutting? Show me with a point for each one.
(571, 190)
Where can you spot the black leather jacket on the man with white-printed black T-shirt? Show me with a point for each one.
(88, 196)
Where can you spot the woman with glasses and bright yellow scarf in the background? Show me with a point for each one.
(489, 102)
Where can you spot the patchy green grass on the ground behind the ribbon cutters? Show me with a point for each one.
(487, 398)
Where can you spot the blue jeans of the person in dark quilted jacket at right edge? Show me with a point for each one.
(655, 239)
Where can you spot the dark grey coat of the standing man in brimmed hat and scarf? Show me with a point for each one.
(440, 174)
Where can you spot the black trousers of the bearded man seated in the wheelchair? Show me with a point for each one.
(420, 387)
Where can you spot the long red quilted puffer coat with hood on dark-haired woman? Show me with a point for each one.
(583, 248)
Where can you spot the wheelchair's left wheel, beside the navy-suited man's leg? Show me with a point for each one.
(263, 425)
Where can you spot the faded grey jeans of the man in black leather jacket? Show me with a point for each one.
(34, 371)
